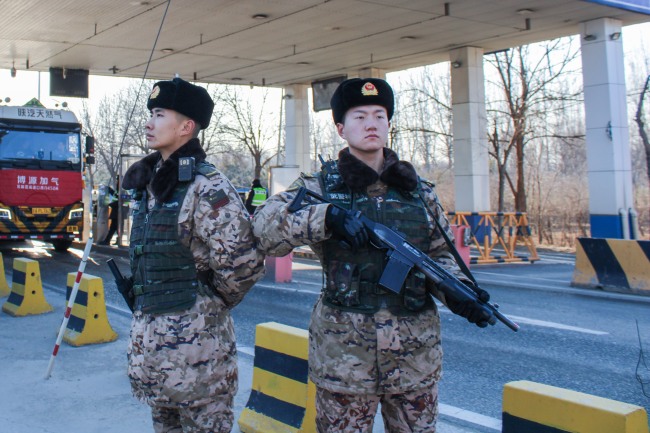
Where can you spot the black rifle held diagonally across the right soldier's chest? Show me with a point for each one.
(403, 256)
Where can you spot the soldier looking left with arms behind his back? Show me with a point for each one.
(193, 258)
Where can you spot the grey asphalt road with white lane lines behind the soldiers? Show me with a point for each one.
(578, 339)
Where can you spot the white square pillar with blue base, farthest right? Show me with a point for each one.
(608, 142)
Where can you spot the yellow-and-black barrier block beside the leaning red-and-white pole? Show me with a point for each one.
(88, 323)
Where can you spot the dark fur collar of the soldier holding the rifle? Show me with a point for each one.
(358, 176)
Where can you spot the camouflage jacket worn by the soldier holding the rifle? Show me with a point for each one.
(352, 352)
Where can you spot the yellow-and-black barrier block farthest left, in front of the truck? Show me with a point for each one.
(26, 297)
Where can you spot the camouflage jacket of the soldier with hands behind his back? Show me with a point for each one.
(184, 359)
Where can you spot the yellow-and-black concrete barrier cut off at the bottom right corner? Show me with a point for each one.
(537, 408)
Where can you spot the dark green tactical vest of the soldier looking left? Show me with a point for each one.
(164, 273)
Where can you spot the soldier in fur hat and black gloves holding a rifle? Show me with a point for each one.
(368, 345)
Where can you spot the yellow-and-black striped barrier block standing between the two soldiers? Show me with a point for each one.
(282, 397)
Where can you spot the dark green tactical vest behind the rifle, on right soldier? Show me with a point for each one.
(351, 278)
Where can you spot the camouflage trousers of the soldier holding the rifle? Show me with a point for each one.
(410, 412)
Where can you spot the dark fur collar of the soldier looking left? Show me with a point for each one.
(161, 176)
